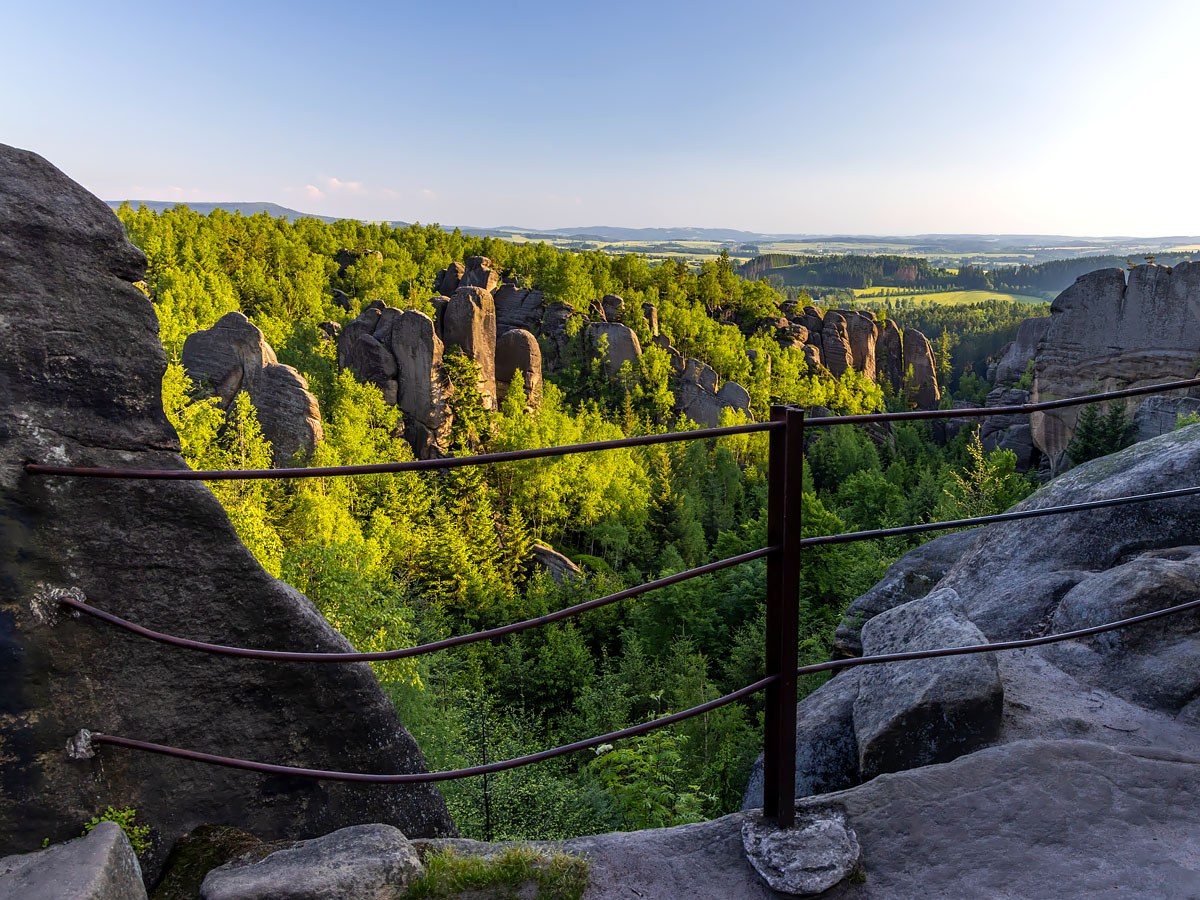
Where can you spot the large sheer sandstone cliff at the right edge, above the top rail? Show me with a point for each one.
(1106, 334)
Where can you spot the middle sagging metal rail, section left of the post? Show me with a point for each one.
(380, 656)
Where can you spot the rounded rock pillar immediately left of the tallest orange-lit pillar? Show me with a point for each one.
(424, 385)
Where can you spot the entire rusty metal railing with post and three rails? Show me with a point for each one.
(787, 430)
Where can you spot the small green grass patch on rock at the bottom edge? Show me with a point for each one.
(559, 877)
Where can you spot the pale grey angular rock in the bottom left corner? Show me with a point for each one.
(100, 867)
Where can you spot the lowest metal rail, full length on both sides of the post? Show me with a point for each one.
(85, 742)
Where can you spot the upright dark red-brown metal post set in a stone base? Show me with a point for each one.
(784, 489)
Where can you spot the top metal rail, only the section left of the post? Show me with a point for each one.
(379, 469)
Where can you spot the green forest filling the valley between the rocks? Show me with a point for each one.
(397, 560)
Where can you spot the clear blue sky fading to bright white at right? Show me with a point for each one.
(1048, 117)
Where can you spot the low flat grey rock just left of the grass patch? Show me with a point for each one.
(371, 862)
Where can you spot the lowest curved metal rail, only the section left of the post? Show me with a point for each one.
(424, 777)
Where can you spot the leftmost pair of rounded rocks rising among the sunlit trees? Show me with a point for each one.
(235, 357)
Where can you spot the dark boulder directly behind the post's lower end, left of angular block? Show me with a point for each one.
(826, 748)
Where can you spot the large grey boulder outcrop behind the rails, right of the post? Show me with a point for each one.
(1015, 580)
